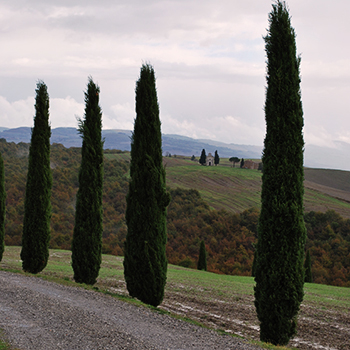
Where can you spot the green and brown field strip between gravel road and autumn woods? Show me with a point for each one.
(217, 301)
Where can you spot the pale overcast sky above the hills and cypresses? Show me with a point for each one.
(209, 59)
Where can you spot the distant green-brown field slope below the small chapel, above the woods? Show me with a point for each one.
(235, 189)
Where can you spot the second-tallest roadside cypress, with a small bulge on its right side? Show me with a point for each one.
(145, 263)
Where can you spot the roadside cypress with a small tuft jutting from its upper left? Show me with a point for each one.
(87, 235)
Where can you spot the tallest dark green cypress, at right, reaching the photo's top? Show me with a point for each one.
(279, 271)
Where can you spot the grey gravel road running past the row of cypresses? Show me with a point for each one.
(41, 315)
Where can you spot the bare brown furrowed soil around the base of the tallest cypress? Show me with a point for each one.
(325, 329)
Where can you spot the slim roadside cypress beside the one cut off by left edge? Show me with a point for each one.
(37, 205)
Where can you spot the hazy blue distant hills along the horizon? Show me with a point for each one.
(335, 157)
